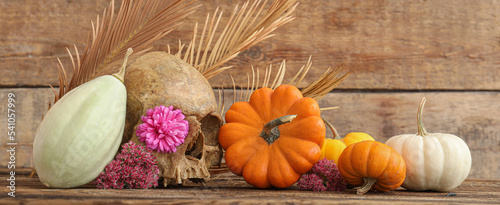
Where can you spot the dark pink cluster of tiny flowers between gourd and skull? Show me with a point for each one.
(134, 168)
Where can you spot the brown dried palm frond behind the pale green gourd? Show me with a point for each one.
(137, 24)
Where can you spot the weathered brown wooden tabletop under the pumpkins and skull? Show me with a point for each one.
(226, 188)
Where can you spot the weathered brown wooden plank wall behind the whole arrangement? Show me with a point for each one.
(399, 51)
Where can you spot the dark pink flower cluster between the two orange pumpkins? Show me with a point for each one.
(324, 176)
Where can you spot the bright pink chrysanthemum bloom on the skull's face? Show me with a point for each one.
(163, 129)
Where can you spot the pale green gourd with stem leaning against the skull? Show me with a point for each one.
(82, 132)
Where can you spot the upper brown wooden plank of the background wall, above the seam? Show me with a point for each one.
(390, 44)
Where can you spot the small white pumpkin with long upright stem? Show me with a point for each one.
(434, 161)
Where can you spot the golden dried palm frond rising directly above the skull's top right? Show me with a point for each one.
(246, 27)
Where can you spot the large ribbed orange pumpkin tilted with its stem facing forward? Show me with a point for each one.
(274, 138)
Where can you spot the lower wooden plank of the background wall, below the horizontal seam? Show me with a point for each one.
(474, 116)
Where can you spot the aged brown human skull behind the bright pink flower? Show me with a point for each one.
(158, 78)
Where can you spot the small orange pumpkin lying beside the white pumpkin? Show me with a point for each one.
(372, 165)
